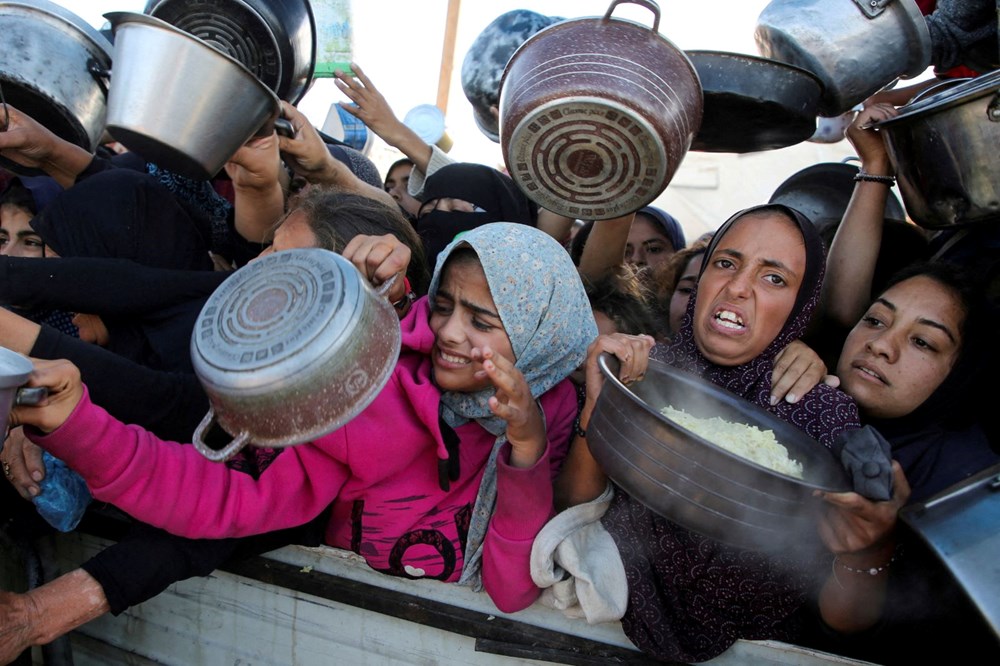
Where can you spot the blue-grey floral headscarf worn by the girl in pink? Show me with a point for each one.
(547, 316)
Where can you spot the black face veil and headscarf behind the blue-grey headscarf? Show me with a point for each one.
(484, 187)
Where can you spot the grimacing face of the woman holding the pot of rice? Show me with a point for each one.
(748, 288)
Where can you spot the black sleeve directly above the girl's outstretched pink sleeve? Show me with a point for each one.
(169, 404)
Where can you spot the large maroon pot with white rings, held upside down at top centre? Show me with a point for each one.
(597, 114)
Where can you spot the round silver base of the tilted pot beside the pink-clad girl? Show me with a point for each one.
(275, 316)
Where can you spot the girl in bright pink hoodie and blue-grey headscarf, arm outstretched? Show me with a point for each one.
(477, 408)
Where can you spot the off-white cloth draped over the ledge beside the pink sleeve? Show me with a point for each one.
(576, 563)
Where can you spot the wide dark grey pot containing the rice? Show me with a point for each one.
(696, 484)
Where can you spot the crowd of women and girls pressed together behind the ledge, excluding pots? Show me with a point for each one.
(478, 443)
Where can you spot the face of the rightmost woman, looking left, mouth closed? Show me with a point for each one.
(903, 348)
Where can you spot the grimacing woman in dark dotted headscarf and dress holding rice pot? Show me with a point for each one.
(690, 597)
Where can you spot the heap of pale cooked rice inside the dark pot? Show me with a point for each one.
(746, 441)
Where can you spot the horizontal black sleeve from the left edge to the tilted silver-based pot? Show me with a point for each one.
(102, 286)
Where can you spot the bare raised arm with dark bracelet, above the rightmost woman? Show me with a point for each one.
(855, 248)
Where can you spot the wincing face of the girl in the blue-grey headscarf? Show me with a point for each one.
(464, 317)
